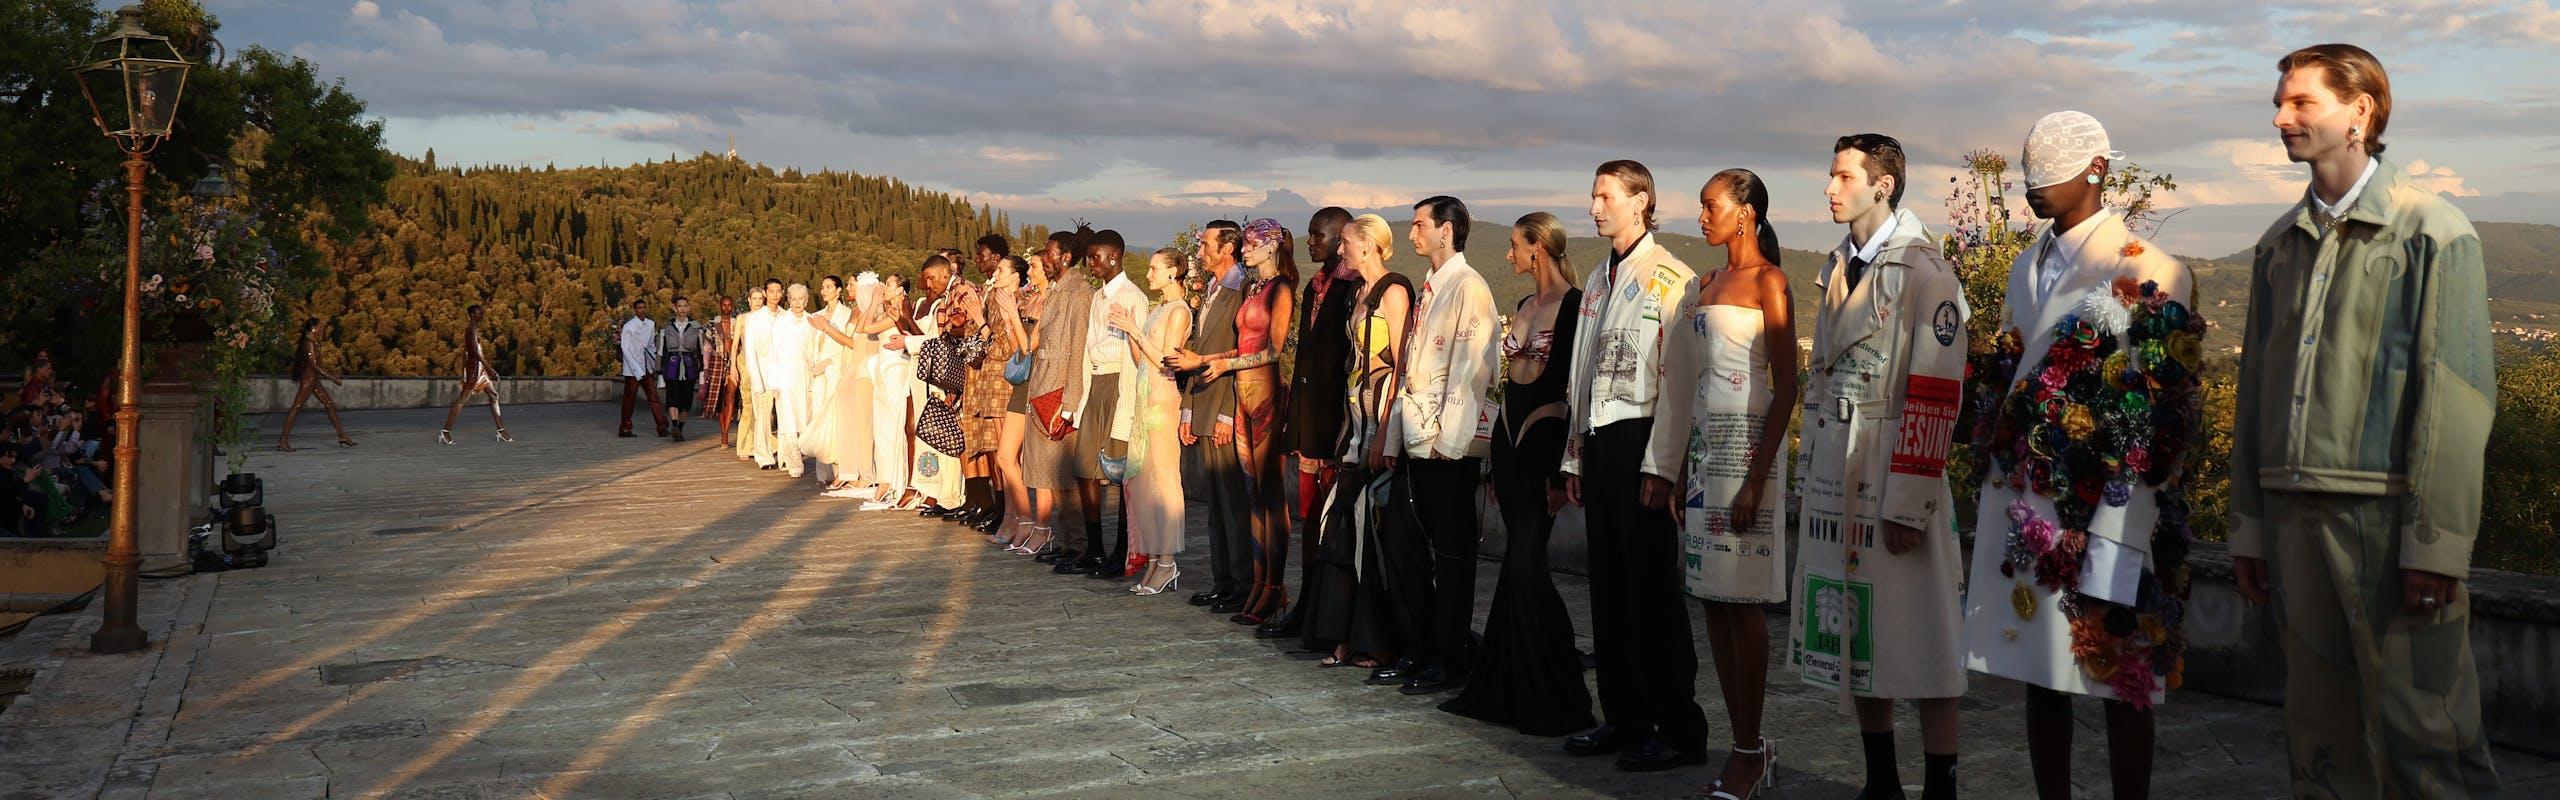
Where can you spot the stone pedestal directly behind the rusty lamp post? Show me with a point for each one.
(175, 473)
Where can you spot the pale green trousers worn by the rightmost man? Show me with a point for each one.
(2380, 701)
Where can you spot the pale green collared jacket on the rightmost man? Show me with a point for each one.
(2367, 371)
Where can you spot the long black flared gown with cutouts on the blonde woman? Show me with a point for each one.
(1530, 673)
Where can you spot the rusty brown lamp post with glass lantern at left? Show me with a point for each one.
(132, 83)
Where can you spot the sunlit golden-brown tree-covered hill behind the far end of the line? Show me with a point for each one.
(557, 253)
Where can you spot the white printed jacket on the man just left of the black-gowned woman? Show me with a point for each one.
(1443, 406)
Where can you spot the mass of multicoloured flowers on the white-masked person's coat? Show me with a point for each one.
(2108, 412)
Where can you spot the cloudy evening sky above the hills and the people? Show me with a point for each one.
(1143, 114)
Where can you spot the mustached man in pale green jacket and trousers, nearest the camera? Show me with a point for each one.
(2367, 388)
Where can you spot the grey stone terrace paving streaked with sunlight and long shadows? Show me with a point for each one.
(590, 617)
